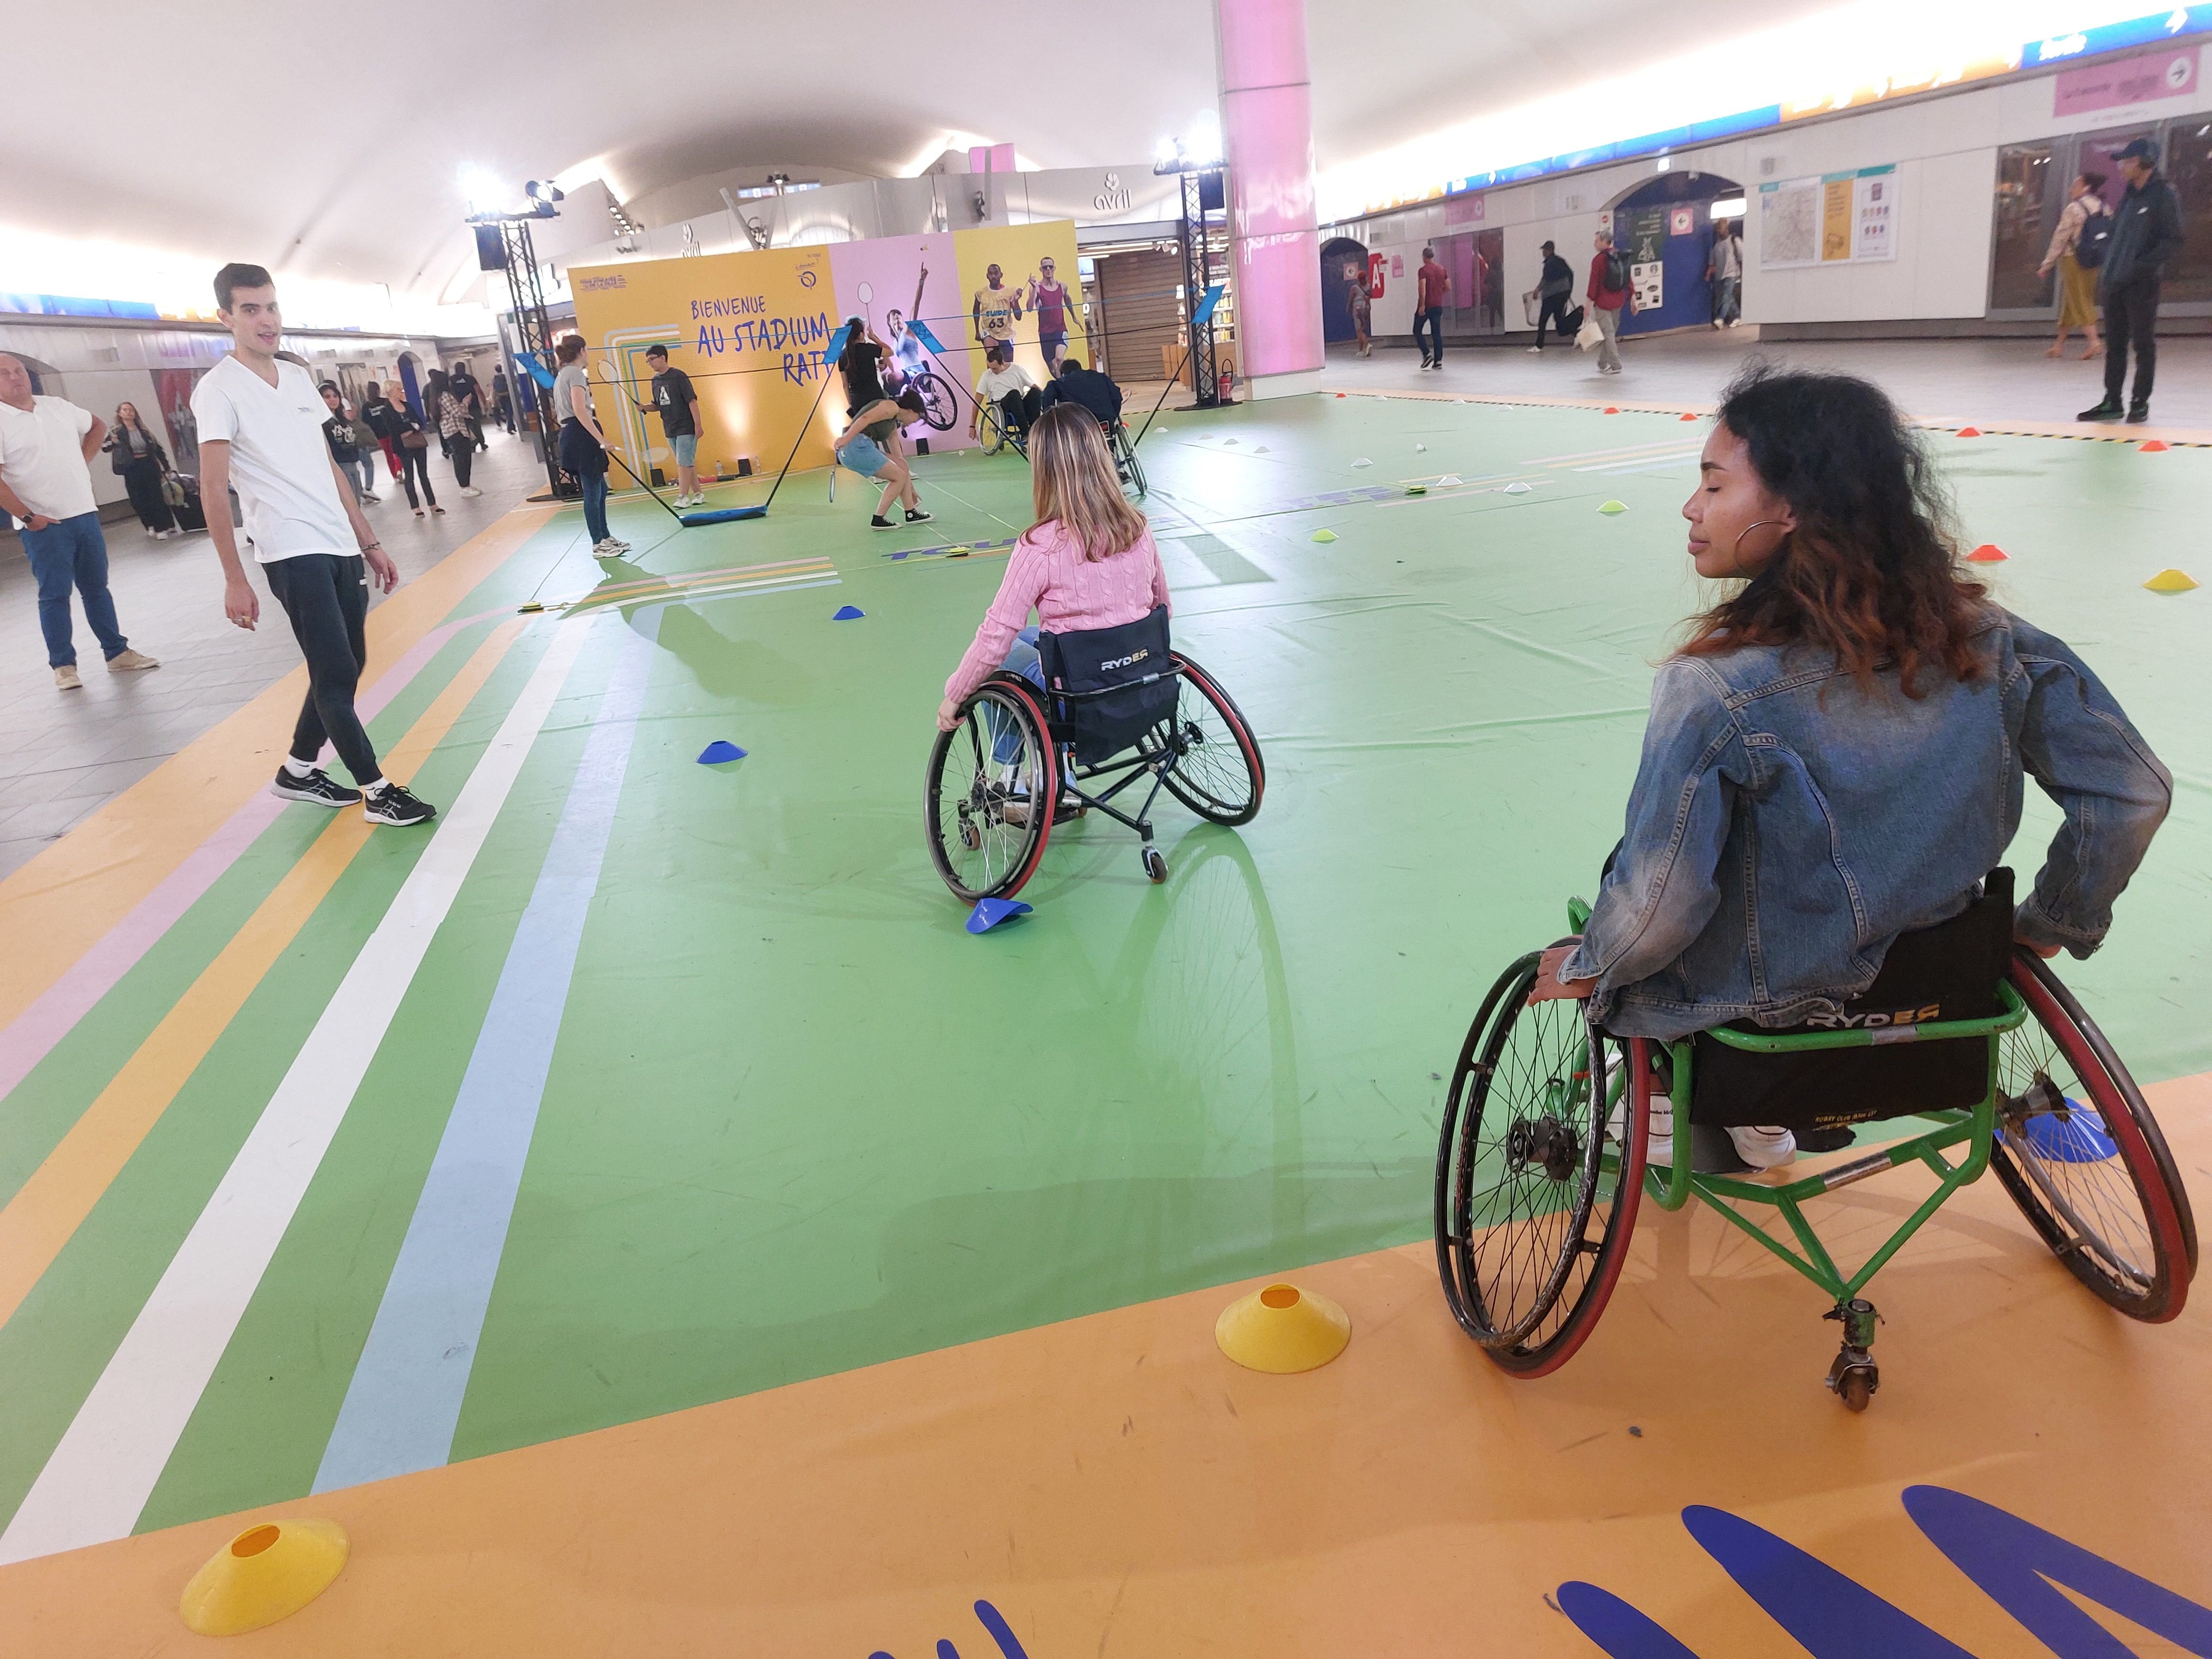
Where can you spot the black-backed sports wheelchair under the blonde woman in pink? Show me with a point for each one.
(1116, 707)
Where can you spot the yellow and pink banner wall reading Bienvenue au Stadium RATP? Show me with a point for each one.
(749, 328)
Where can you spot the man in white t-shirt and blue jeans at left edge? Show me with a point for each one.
(48, 490)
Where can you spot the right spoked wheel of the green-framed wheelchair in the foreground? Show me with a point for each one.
(2085, 1160)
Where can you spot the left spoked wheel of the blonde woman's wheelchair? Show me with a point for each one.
(992, 789)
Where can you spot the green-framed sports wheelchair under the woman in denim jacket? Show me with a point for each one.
(1543, 1154)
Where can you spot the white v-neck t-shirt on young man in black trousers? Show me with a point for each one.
(280, 461)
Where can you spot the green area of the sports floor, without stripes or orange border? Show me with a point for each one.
(802, 1123)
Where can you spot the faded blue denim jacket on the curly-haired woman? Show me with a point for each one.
(1786, 826)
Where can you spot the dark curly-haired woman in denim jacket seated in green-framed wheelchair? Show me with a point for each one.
(1837, 753)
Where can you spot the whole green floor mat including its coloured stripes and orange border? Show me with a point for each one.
(685, 1227)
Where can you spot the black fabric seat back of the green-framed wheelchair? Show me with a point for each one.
(1945, 972)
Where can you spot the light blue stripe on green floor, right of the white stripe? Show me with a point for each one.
(415, 1370)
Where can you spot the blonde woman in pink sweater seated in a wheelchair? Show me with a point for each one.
(1087, 563)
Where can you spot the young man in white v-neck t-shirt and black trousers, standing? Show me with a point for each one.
(262, 435)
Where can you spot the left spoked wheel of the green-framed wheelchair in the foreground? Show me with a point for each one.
(1538, 1176)
